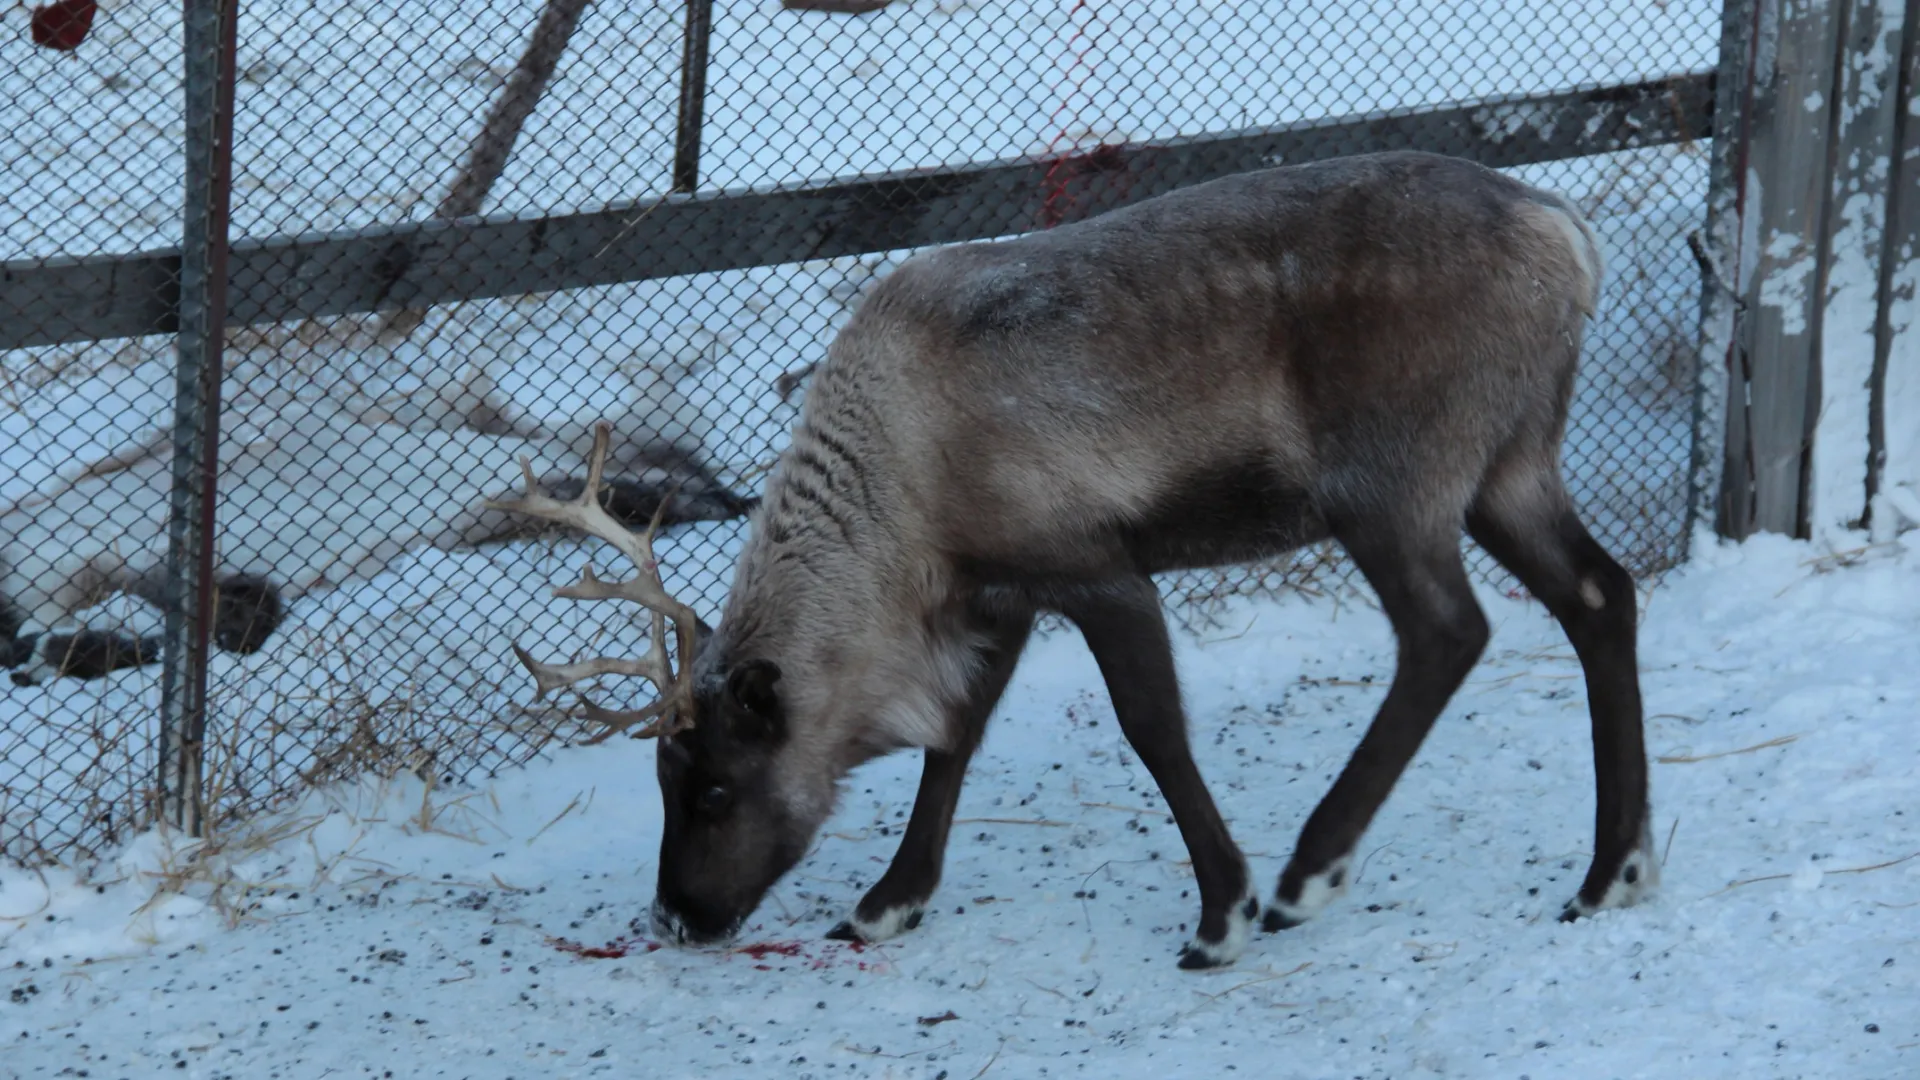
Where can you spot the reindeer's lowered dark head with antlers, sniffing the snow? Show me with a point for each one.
(731, 831)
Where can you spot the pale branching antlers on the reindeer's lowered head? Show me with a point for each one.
(675, 708)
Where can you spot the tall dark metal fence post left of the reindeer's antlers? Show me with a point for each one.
(210, 30)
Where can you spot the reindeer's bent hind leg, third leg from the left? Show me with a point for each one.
(1441, 629)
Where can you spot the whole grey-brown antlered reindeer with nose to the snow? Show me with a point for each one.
(1376, 351)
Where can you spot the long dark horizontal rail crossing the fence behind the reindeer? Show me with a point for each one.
(412, 266)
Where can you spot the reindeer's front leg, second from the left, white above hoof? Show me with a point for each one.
(1128, 635)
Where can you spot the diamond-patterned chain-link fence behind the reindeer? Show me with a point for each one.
(462, 233)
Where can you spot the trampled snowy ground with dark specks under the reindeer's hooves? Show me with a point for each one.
(389, 929)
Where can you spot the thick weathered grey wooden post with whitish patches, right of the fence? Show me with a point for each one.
(1806, 184)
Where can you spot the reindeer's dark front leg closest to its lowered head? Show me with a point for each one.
(900, 898)
